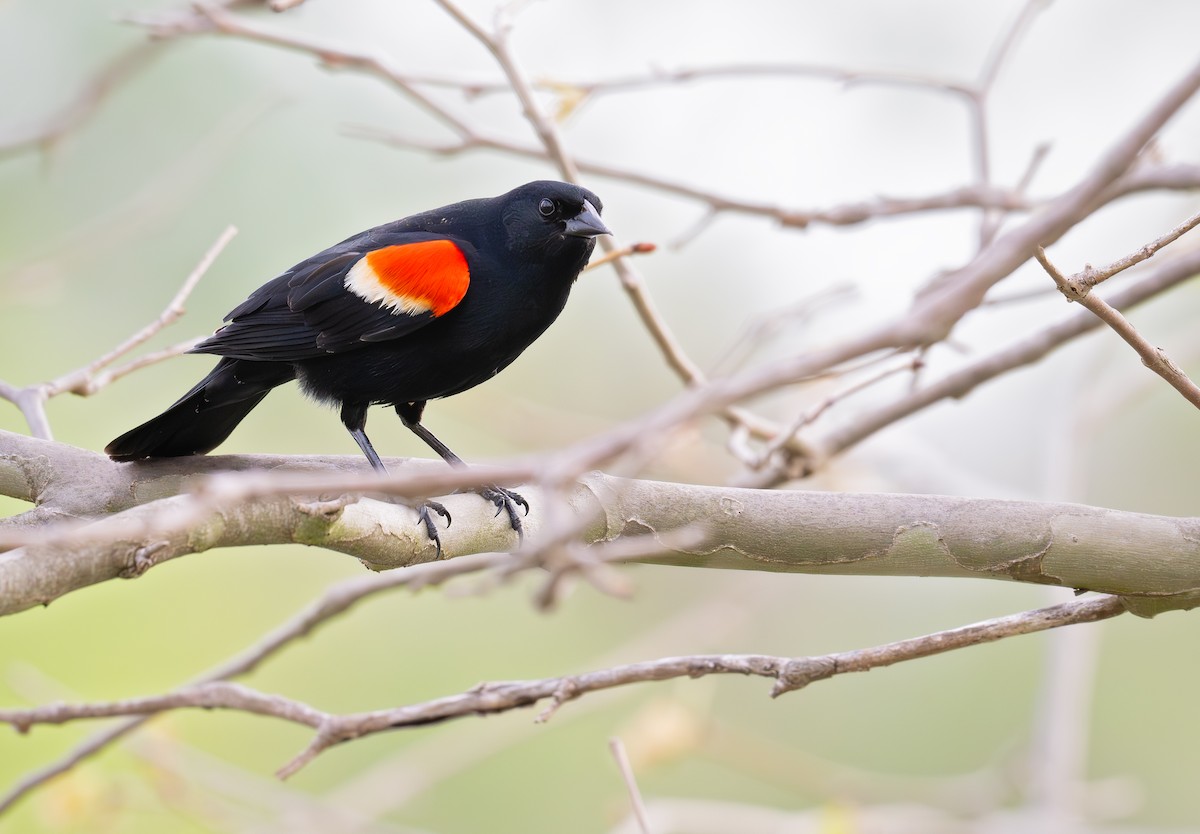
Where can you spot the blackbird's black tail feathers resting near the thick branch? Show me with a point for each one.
(205, 417)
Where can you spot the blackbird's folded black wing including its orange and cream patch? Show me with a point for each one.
(346, 298)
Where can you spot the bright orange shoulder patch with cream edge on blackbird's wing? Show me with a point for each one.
(413, 279)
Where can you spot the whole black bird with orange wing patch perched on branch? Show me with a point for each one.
(419, 309)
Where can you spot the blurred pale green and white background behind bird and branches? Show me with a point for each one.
(101, 226)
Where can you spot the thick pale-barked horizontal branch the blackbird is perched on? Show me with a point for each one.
(1153, 561)
